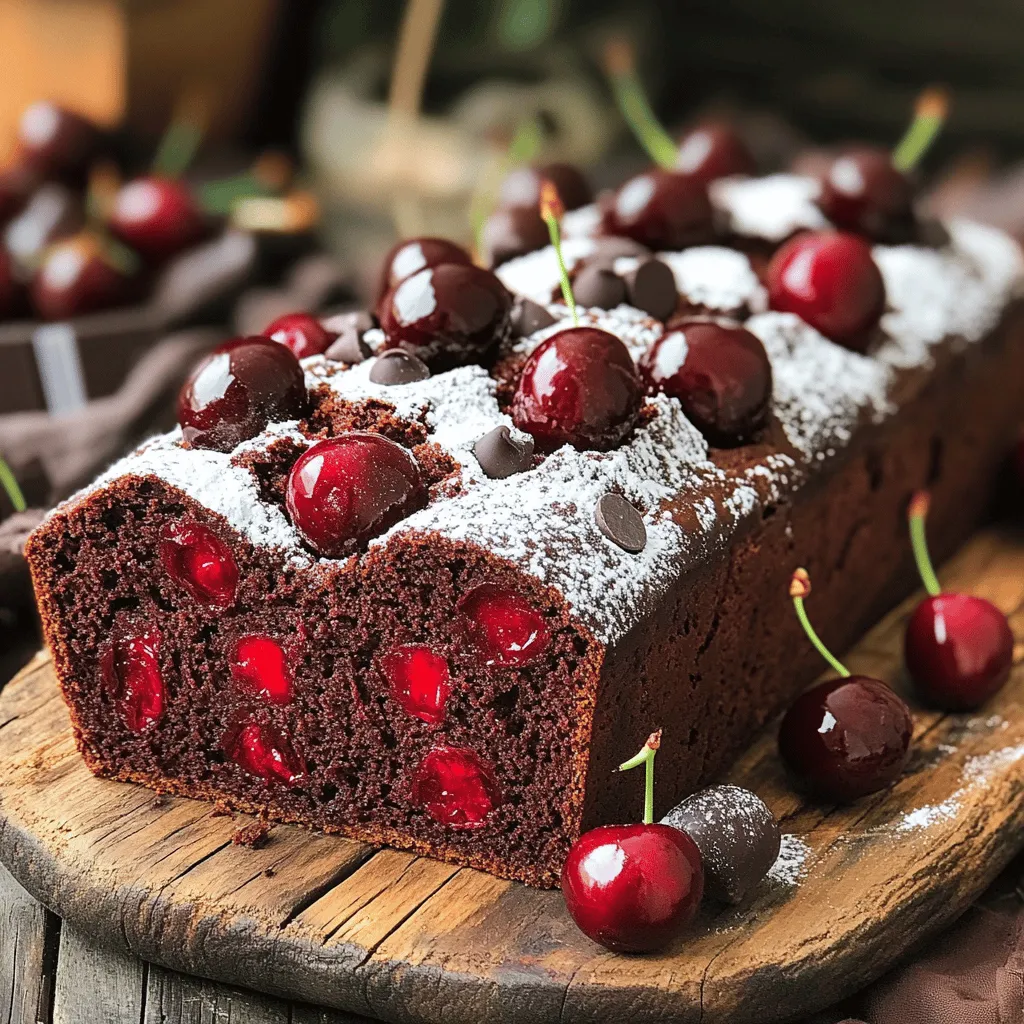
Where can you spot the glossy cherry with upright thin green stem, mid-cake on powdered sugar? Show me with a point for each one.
(580, 388)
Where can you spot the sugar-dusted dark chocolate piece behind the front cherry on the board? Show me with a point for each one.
(737, 835)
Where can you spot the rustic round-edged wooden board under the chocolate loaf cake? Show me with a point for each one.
(409, 940)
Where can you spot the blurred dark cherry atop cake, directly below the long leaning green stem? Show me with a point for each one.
(661, 210)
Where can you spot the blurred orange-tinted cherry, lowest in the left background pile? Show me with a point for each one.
(77, 277)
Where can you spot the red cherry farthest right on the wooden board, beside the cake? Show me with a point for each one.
(959, 651)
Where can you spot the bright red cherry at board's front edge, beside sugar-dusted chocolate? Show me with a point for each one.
(633, 888)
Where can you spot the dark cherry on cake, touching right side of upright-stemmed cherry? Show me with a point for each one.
(720, 373)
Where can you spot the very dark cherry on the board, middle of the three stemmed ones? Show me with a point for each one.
(846, 739)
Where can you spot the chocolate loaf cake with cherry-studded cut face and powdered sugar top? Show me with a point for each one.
(463, 682)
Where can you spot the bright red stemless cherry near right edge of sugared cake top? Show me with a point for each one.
(831, 281)
